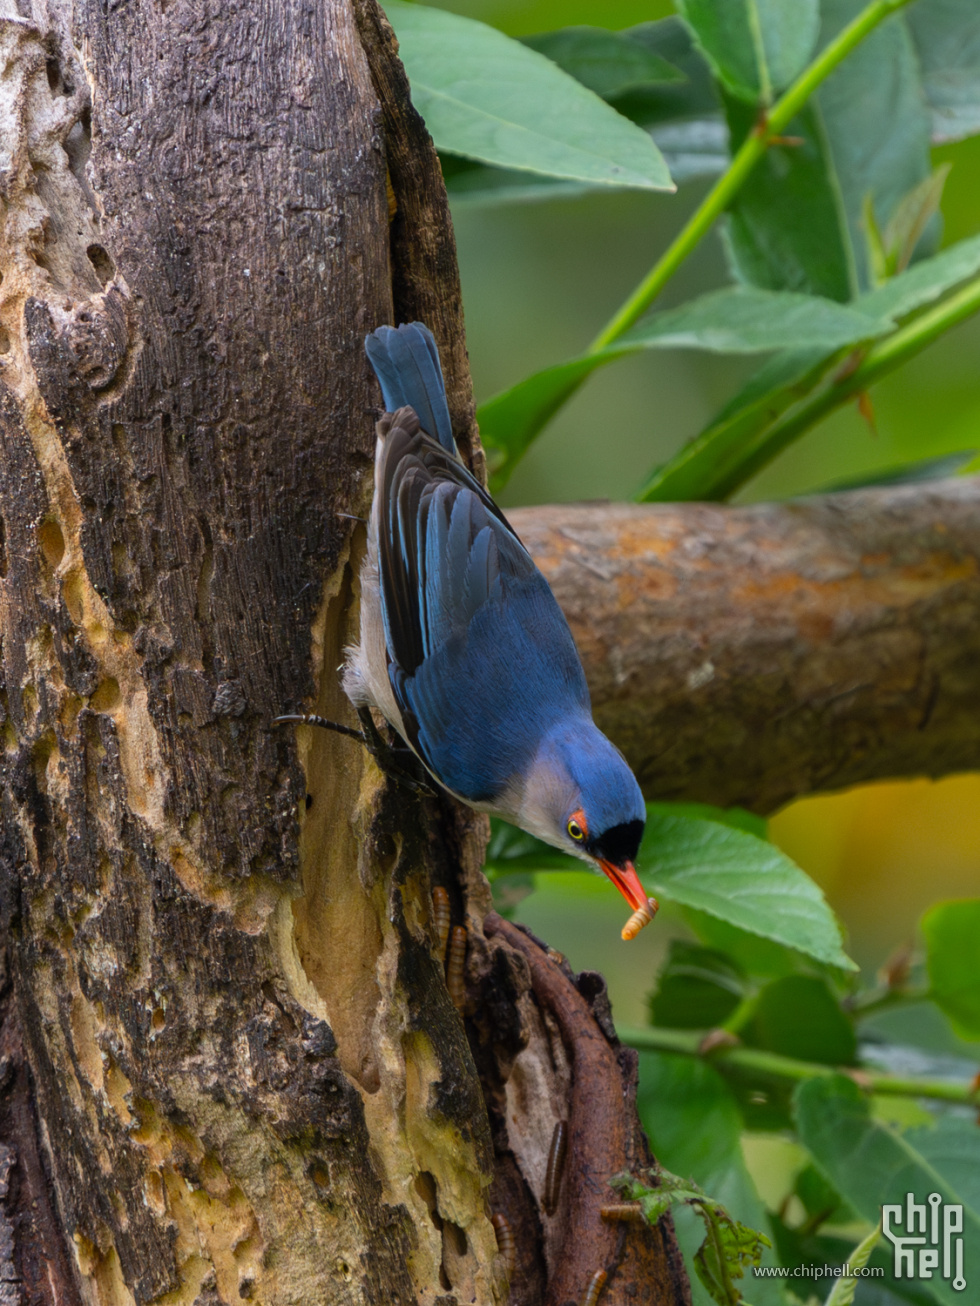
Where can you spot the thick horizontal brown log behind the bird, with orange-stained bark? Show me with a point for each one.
(747, 656)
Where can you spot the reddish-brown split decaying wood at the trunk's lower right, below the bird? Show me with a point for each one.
(593, 1079)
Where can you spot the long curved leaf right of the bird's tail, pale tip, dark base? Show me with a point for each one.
(736, 321)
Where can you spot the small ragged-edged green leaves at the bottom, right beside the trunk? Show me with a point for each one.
(728, 1247)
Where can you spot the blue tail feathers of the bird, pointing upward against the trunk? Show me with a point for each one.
(406, 361)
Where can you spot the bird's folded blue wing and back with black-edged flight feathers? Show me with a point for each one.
(476, 641)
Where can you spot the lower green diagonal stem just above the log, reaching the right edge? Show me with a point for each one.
(881, 358)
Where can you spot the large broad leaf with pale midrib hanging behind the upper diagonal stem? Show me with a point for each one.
(864, 133)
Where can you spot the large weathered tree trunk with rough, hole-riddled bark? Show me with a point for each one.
(245, 1077)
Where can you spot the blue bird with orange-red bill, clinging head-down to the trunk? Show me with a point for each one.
(463, 647)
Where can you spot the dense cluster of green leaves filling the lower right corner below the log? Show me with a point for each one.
(774, 1069)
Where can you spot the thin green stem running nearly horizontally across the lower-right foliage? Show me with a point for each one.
(755, 1061)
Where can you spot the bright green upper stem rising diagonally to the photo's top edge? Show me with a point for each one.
(748, 156)
